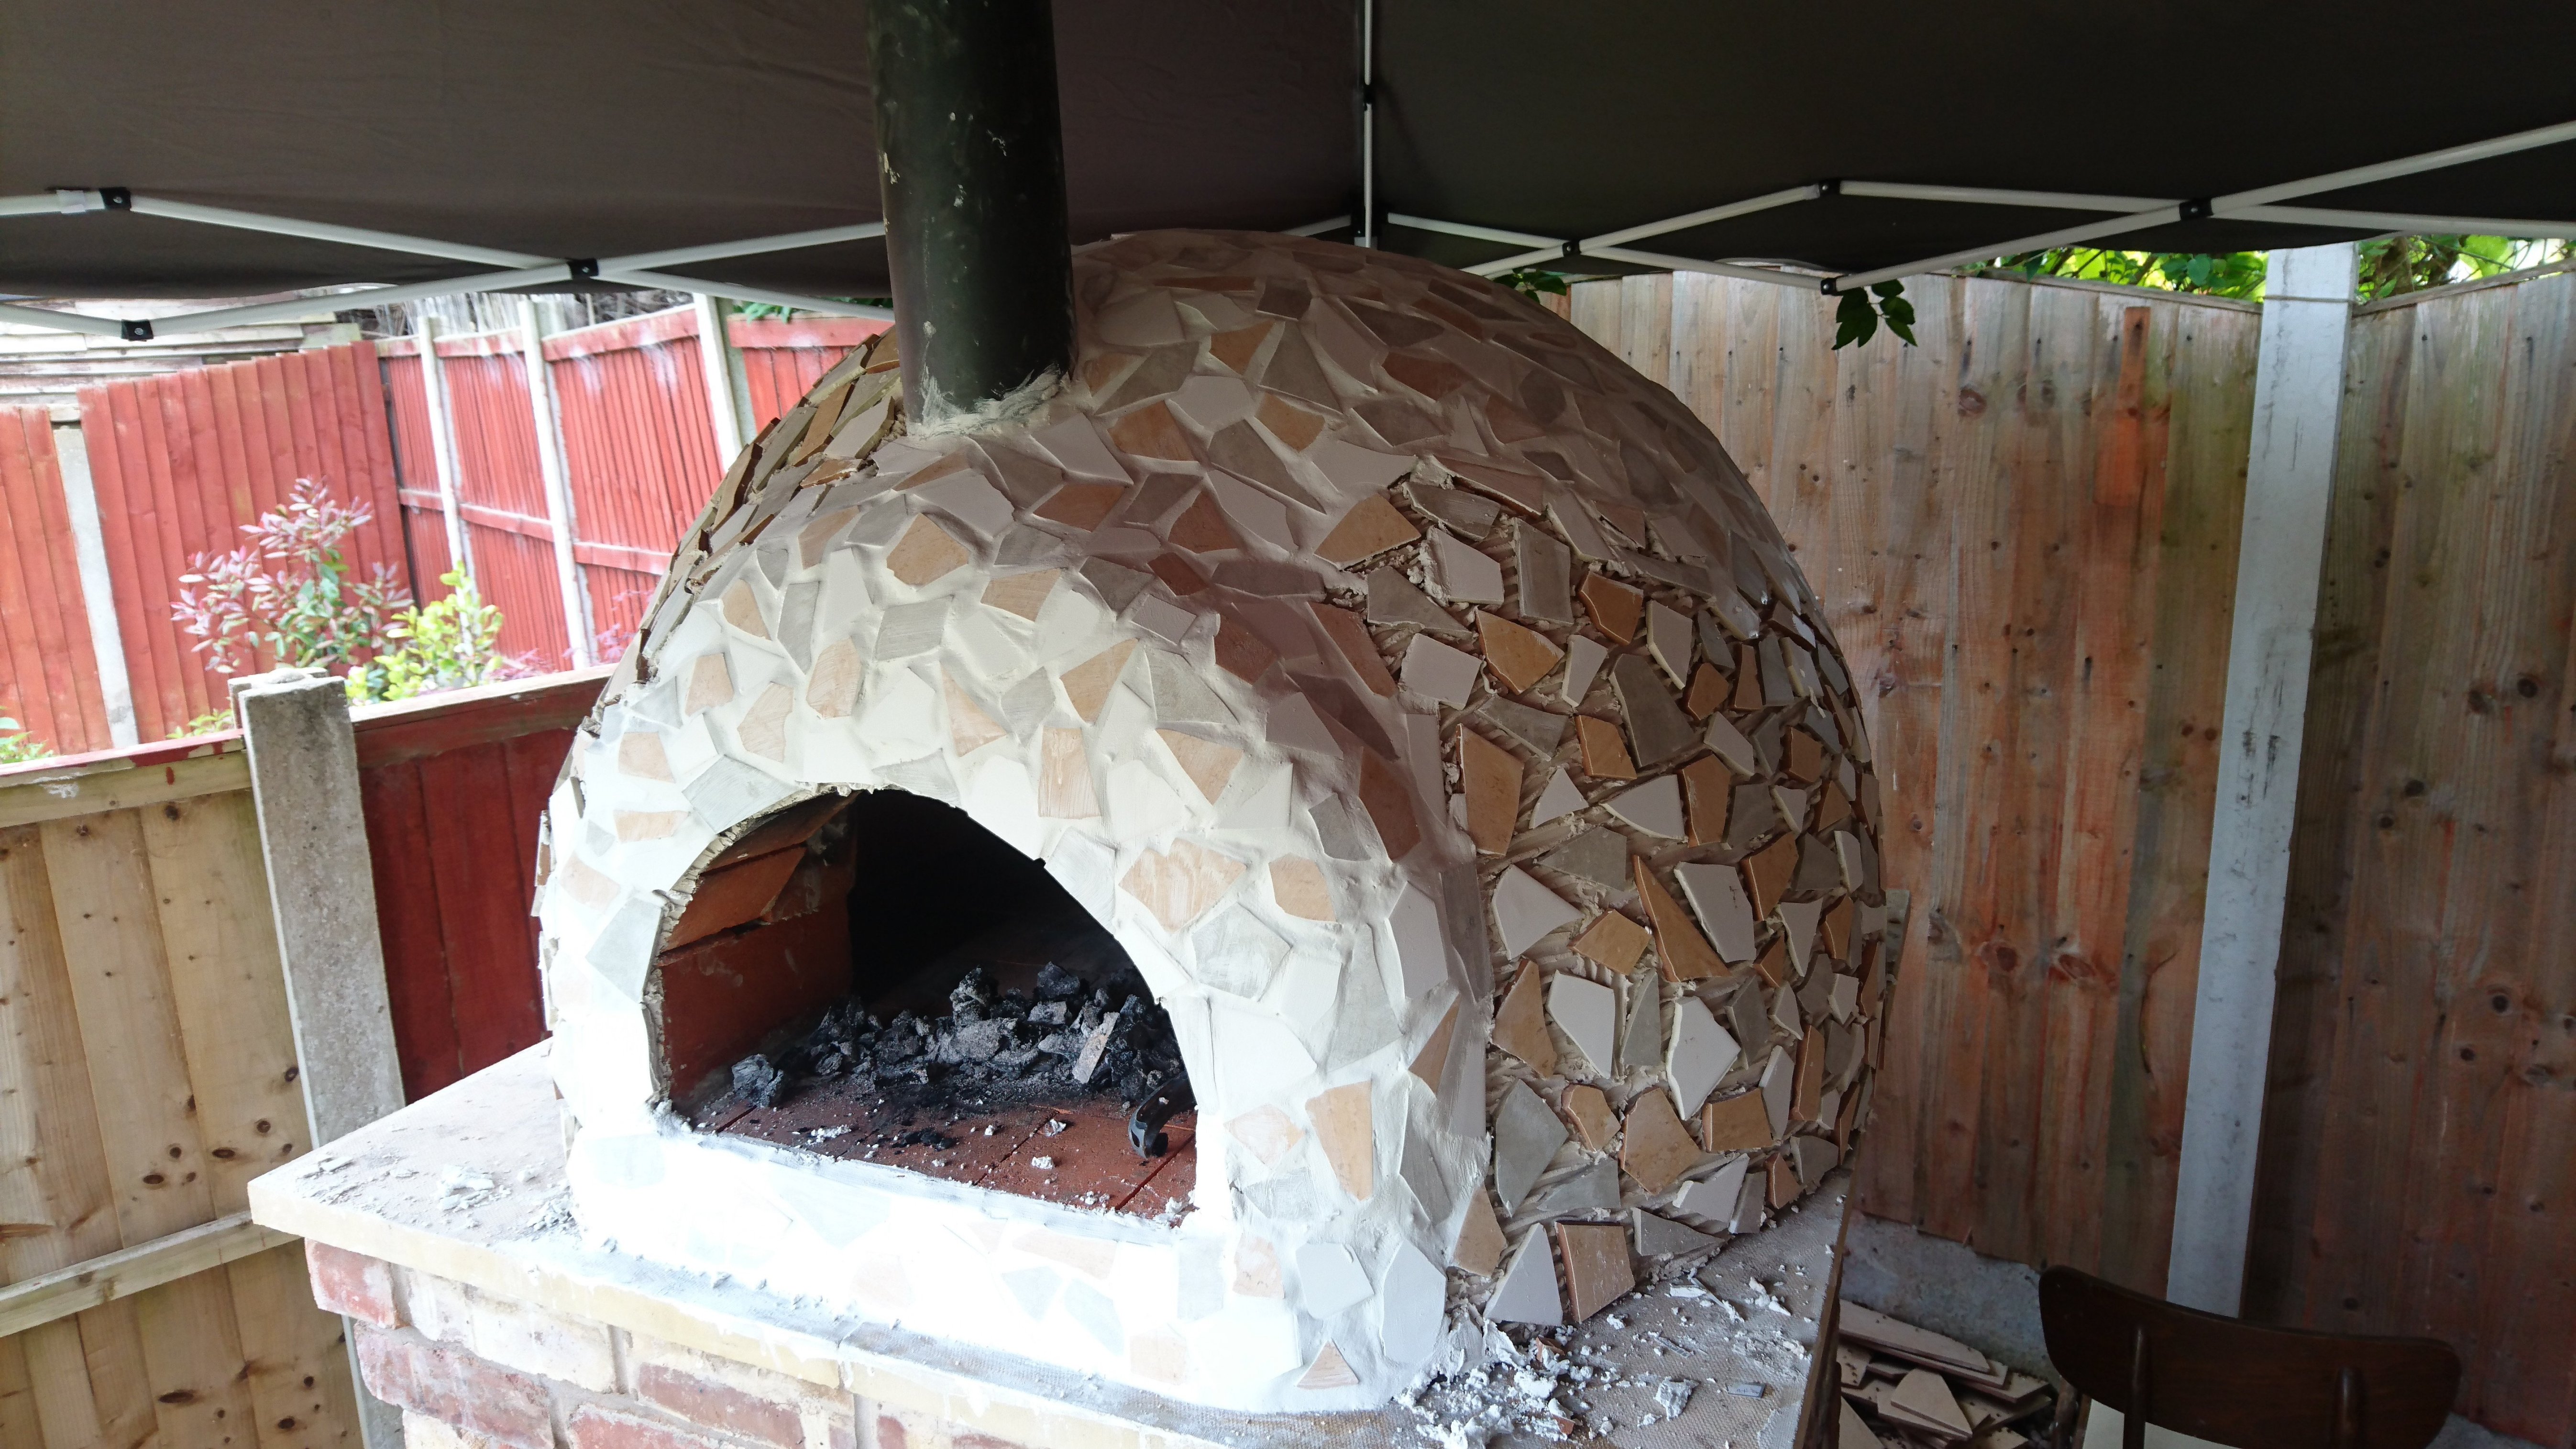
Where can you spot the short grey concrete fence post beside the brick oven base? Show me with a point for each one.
(323, 899)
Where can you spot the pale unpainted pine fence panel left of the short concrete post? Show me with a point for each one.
(153, 1074)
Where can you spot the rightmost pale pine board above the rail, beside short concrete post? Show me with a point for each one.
(228, 989)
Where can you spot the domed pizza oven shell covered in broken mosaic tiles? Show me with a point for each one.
(1418, 695)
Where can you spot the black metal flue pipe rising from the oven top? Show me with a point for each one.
(970, 153)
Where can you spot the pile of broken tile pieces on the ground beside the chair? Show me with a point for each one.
(1915, 1388)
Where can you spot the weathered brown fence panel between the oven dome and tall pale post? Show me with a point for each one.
(2018, 530)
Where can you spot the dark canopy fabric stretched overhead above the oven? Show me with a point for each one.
(589, 128)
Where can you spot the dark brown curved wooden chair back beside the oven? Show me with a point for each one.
(2240, 1383)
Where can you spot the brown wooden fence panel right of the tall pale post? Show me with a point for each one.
(2420, 1125)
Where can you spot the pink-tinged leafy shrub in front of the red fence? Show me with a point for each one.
(285, 597)
